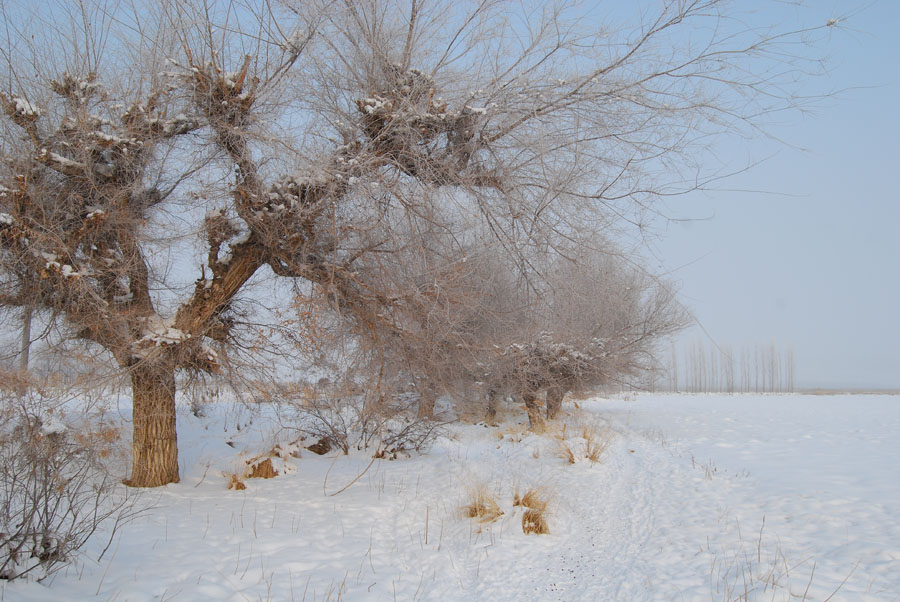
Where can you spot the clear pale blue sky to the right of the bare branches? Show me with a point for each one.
(803, 249)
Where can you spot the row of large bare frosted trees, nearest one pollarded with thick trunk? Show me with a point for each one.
(441, 181)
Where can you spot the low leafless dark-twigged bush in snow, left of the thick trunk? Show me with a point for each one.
(54, 490)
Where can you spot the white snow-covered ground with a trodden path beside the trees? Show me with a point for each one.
(696, 498)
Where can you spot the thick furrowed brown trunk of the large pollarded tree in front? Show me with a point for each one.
(154, 445)
